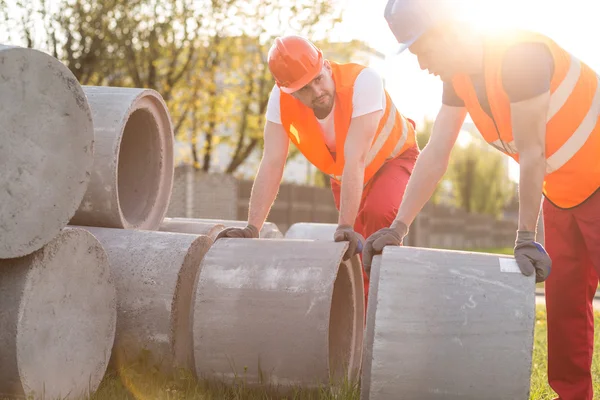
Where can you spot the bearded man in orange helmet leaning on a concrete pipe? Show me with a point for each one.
(344, 122)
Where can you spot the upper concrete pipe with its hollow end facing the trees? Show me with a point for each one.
(133, 163)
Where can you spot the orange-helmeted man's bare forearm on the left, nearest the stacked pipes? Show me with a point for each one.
(264, 191)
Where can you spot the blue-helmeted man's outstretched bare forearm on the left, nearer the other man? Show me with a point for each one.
(426, 175)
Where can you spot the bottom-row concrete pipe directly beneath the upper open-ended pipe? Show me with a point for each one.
(155, 274)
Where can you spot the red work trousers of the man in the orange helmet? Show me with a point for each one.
(382, 197)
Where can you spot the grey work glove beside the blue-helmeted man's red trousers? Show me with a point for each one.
(531, 256)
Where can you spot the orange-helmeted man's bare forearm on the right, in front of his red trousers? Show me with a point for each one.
(351, 192)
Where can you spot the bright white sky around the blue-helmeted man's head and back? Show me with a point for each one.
(572, 24)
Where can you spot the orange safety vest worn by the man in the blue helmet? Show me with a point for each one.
(572, 128)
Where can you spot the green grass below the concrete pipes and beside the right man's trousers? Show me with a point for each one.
(139, 382)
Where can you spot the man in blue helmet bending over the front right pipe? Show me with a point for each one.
(538, 104)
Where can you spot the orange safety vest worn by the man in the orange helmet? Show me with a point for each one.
(395, 134)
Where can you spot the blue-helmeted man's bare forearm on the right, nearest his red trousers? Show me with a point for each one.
(532, 173)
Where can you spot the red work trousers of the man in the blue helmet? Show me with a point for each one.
(572, 239)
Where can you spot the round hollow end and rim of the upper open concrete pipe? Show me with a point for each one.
(139, 177)
